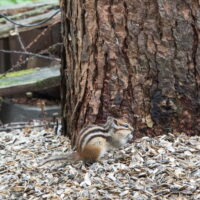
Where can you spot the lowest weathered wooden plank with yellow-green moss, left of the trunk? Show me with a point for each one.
(29, 80)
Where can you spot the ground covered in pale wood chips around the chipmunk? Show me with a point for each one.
(165, 167)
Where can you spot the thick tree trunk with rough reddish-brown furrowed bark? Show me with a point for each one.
(134, 59)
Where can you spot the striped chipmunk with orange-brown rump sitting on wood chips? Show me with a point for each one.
(93, 141)
